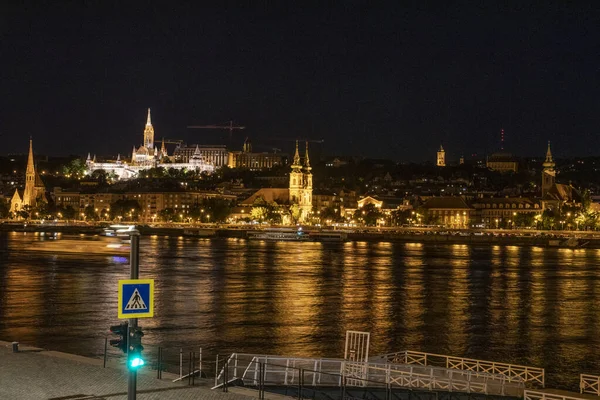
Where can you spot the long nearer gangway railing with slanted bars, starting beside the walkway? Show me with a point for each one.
(256, 370)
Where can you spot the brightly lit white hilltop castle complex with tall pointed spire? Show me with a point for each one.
(148, 156)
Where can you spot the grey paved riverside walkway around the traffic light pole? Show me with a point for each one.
(34, 374)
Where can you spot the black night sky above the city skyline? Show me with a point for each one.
(390, 80)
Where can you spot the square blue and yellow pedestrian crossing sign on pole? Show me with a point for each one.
(136, 298)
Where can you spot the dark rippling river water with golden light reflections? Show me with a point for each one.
(526, 305)
